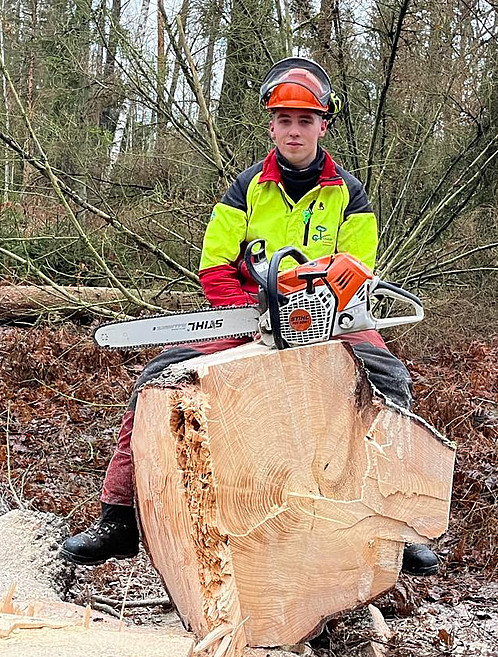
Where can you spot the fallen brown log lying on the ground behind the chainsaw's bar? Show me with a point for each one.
(32, 300)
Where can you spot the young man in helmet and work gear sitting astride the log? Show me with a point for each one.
(297, 196)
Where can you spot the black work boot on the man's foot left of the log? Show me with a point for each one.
(115, 534)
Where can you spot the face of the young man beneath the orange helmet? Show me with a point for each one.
(296, 133)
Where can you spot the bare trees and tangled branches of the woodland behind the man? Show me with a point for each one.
(122, 124)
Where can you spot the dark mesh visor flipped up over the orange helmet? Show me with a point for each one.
(303, 72)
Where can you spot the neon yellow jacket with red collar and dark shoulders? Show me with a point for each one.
(334, 216)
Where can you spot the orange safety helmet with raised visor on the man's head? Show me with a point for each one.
(298, 83)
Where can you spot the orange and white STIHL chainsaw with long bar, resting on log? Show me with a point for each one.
(311, 302)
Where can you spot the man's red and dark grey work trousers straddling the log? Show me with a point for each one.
(118, 482)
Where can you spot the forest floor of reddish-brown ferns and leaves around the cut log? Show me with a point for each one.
(60, 402)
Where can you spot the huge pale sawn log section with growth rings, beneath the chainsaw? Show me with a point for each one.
(275, 491)
